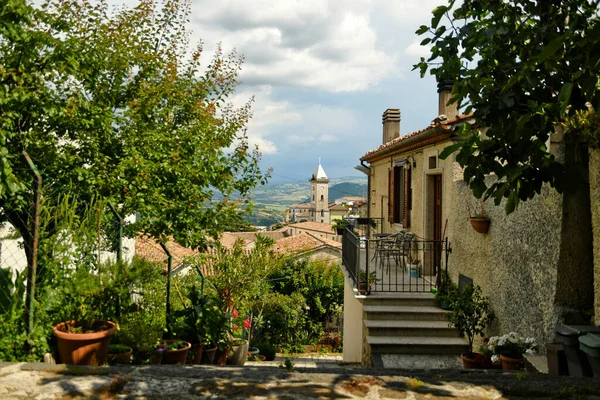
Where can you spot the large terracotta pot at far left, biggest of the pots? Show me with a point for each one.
(83, 348)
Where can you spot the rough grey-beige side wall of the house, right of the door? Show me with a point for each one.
(515, 263)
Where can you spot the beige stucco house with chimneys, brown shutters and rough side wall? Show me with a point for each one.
(536, 265)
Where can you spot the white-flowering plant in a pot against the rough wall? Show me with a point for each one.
(510, 348)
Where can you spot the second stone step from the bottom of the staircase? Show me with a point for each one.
(416, 345)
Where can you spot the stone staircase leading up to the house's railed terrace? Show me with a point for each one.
(410, 329)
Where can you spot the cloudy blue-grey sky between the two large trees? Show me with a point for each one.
(322, 73)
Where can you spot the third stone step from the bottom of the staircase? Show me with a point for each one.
(411, 328)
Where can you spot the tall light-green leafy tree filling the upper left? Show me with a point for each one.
(112, 103)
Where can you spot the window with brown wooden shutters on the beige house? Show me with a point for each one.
(399, 195)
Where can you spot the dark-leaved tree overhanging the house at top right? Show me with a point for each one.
(523, 68)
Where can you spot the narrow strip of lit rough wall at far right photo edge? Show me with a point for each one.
(594, 160)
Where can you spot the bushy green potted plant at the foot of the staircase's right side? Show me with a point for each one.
(471, 315)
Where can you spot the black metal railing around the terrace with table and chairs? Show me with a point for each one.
(401, 262)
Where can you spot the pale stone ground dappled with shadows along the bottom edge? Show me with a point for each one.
(313, 377)
